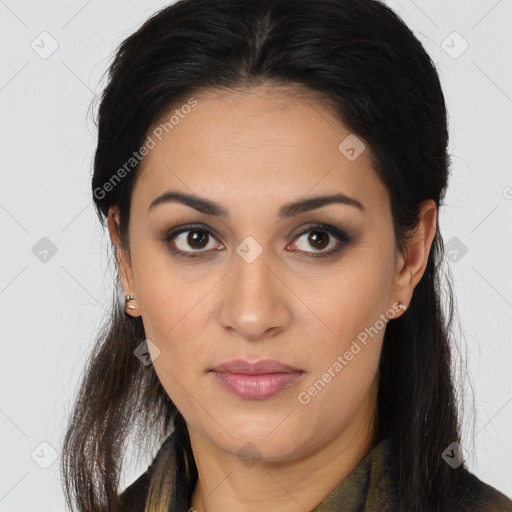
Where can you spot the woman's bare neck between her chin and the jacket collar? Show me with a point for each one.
(226, 482)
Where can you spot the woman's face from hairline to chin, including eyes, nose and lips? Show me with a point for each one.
(259, 271)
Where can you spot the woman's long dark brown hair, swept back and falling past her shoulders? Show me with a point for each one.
(366, 63)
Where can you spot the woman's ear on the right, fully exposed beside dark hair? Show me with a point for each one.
(411, 265)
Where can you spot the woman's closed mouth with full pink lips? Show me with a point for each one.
(256, 381)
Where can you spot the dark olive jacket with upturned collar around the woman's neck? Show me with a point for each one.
(368, 488)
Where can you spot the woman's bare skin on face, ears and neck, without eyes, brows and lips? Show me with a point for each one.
(252, 151)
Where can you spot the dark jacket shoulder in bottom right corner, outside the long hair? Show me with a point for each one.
(477, 496)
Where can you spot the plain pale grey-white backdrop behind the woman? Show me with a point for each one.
(55, 284)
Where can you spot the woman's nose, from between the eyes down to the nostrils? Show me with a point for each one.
(254, 299)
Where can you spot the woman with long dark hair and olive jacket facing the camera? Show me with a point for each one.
(271, 174)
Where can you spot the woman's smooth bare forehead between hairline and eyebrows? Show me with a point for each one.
(261, 143)
